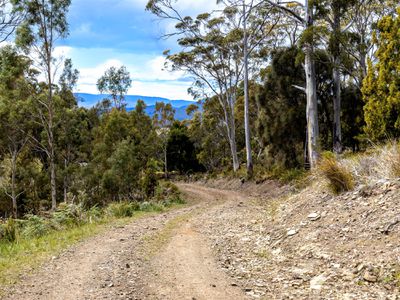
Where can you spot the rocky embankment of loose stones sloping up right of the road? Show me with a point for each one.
(282, 244)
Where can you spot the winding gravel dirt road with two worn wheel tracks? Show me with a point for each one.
(159, 257)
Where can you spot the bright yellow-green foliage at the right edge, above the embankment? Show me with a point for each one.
(381, 87)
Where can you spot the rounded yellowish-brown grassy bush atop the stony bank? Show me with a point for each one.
(340, 180)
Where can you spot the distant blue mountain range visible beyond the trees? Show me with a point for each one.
(90, 100)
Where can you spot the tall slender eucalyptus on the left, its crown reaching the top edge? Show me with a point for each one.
(45, 22)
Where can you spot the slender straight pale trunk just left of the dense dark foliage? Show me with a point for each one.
(246, 98)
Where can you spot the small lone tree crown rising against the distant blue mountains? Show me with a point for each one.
(115, 82)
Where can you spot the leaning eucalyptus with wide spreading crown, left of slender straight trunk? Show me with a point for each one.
(212, 54)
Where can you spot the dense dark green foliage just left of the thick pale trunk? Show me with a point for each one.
(282, 105)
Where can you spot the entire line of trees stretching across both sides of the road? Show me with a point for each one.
(278, 83)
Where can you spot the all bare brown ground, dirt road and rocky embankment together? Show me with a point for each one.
(239, 241)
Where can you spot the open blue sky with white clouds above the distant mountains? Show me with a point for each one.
(106, 33)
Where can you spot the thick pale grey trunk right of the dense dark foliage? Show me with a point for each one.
(311, 91)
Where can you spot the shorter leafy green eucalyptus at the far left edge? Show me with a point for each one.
(15, 91)
